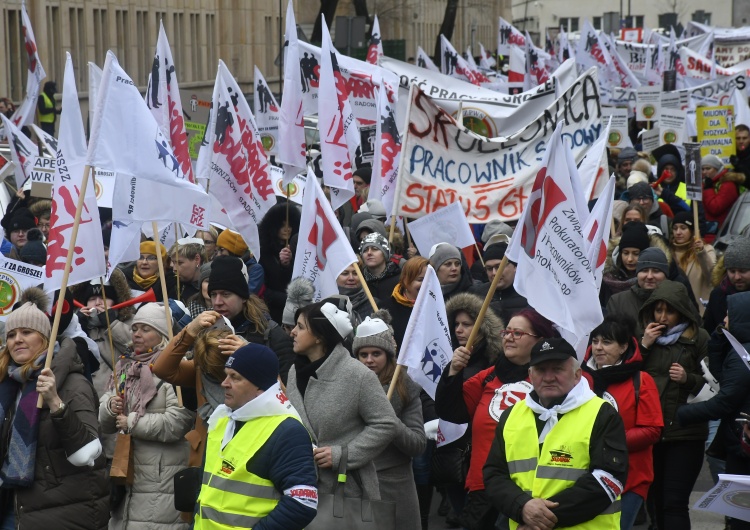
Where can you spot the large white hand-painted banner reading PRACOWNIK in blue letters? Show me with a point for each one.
(442, 163)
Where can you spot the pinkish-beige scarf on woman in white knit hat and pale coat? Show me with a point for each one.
(136, 381)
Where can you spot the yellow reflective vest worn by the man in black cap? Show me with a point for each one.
(563, 458)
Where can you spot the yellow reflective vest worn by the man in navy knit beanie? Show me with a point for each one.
(231, 496)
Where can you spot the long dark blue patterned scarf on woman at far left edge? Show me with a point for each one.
(19, 457)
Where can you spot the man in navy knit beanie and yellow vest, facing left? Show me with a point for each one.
(259, 471)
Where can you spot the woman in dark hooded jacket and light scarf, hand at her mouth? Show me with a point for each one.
(673, 345)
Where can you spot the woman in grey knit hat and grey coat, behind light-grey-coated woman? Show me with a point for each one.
(375, 347)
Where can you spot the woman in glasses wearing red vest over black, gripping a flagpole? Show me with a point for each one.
(481, 399)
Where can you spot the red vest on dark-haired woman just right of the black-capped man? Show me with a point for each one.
(642, 427)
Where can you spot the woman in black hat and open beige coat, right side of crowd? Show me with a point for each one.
(695, 258)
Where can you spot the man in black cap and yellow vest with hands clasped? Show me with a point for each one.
(559, 458)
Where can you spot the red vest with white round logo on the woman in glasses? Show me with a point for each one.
(485, 403)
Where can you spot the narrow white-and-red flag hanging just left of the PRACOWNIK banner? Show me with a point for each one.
(387, 152)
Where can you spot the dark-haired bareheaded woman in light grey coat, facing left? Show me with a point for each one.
(340, 401)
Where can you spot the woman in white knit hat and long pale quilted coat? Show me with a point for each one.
(146, 407)
